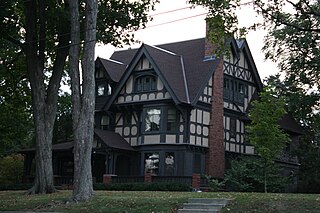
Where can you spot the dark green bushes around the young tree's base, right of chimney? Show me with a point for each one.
(247, 175)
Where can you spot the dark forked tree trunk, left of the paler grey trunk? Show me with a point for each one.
(44, 102)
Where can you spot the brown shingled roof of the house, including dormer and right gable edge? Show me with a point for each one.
(182, 65)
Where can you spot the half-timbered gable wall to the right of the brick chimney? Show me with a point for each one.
(240, 82)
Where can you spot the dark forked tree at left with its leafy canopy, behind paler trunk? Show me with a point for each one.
(41, 31)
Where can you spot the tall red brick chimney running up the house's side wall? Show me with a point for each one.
(215, 158)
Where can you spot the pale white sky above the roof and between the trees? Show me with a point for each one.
(186, 23)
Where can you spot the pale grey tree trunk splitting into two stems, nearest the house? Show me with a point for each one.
(83, 103)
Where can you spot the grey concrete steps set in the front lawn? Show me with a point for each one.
(203, 205)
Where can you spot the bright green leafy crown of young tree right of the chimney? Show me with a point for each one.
(264, 131)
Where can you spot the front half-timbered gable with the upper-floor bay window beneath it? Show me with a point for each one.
(143, 106)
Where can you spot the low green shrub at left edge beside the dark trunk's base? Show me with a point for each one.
(11, 169)
